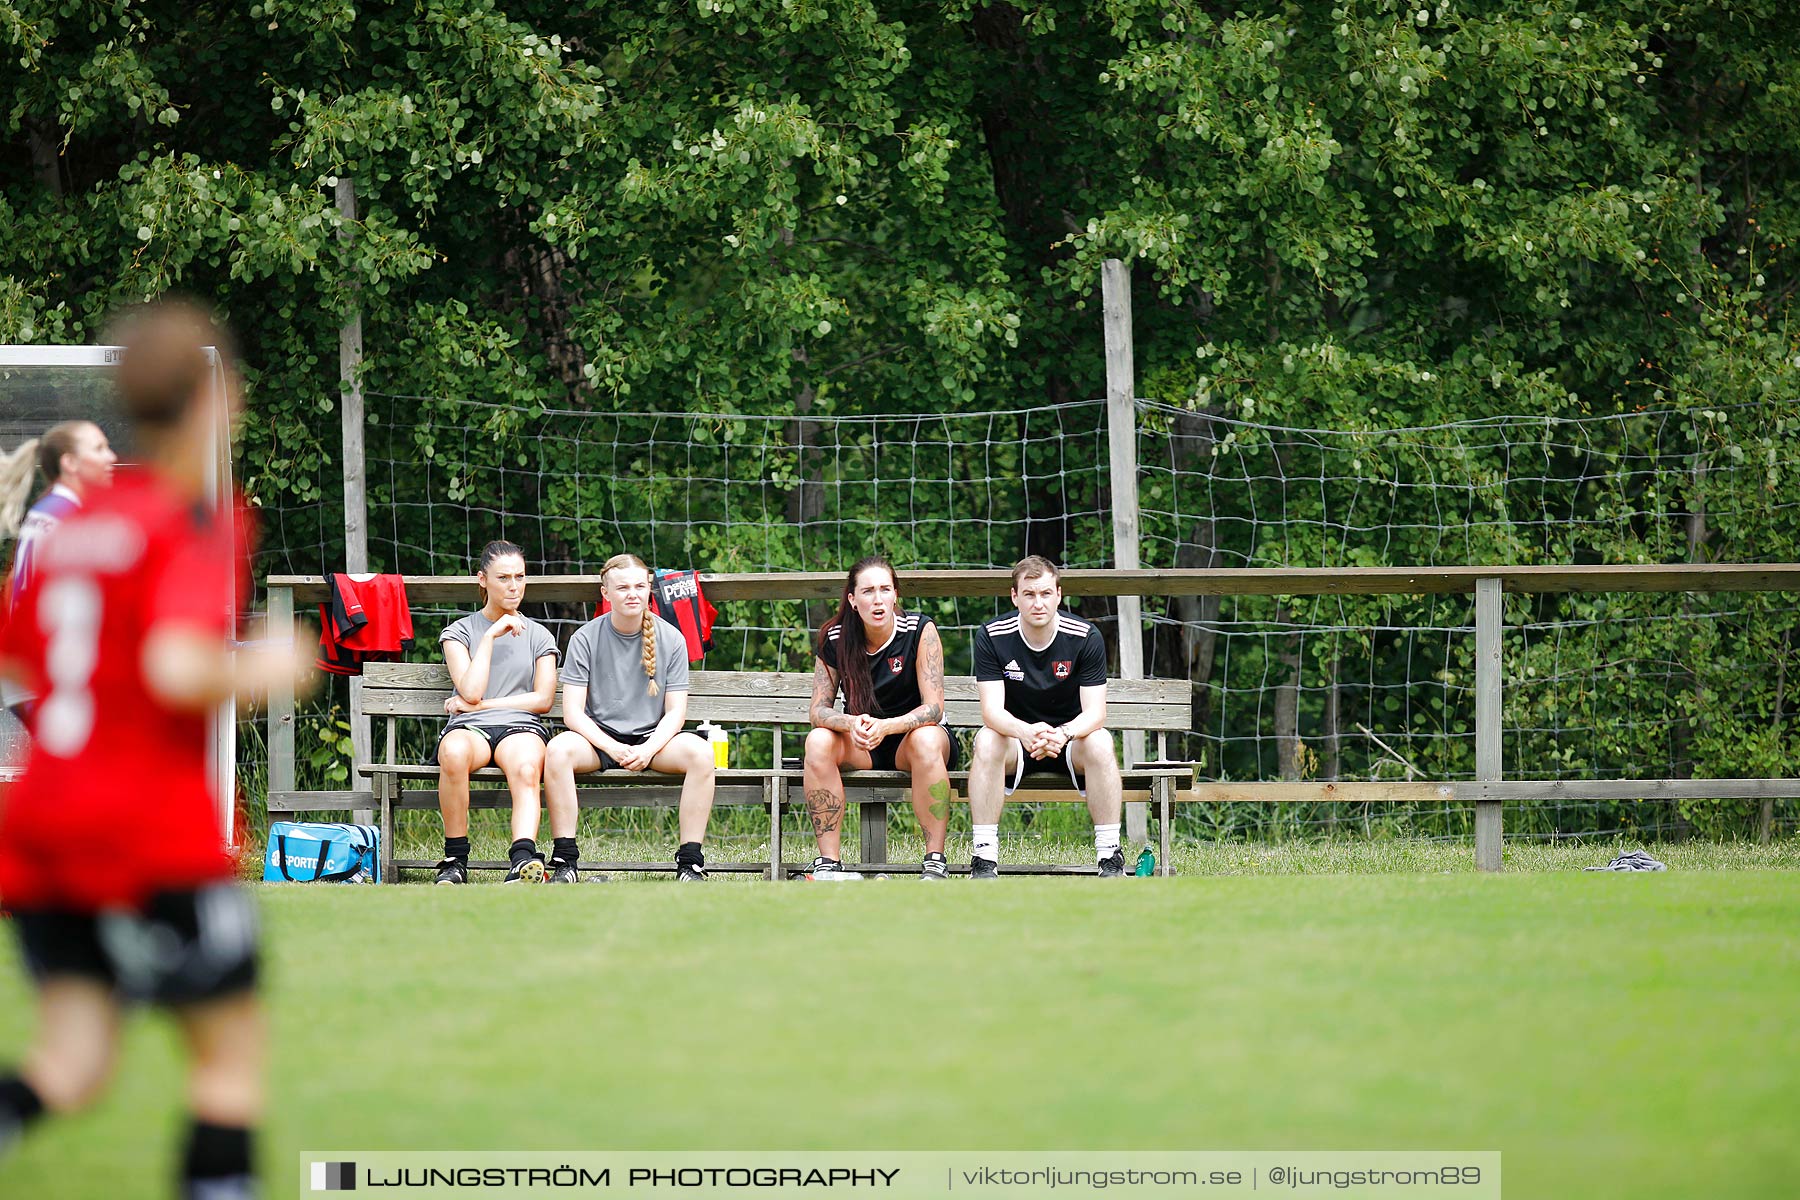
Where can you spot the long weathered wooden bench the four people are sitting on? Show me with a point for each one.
(762, 699)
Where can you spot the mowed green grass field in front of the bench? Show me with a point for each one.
(1612, 1035)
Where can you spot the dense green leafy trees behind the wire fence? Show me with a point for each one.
(1353, 217)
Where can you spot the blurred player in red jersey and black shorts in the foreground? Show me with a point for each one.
(112, 863)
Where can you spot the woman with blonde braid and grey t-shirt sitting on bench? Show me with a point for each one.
(625, 699)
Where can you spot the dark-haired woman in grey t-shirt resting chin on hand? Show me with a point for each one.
(505, 674)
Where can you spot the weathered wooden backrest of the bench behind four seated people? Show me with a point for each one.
(775, 697)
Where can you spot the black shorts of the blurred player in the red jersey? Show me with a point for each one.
(181, 949)
